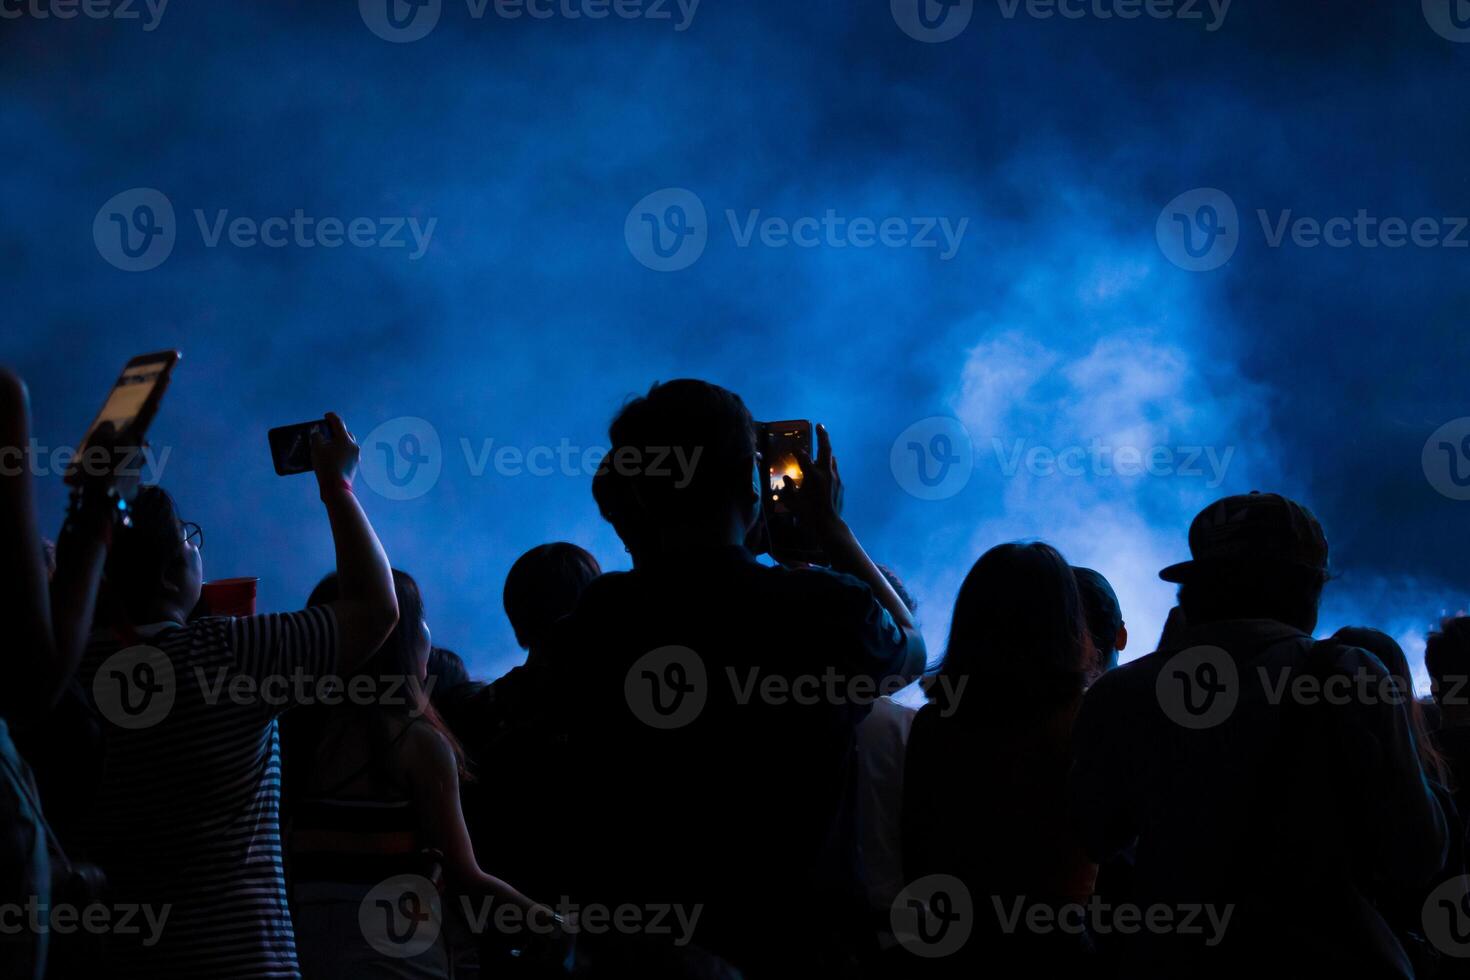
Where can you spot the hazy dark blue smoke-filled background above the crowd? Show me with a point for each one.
(528, 321)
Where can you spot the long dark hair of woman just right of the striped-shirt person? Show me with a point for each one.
(396, 669)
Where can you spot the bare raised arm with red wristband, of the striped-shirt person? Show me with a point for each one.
(368, 609)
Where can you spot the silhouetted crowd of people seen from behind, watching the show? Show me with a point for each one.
(712, 765)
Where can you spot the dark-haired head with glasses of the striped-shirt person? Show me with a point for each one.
(155, 571)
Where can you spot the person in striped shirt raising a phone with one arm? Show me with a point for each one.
(187, 816)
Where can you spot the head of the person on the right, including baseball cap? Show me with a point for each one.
(1255, 556)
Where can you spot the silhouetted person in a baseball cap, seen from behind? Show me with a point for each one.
(1252, 796)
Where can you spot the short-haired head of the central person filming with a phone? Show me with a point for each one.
(689, 449)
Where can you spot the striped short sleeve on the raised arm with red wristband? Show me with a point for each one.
(282, 649)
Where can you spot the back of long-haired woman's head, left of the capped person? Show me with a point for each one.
(1018, 633)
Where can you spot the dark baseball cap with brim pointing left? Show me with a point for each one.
(1253, 530)
